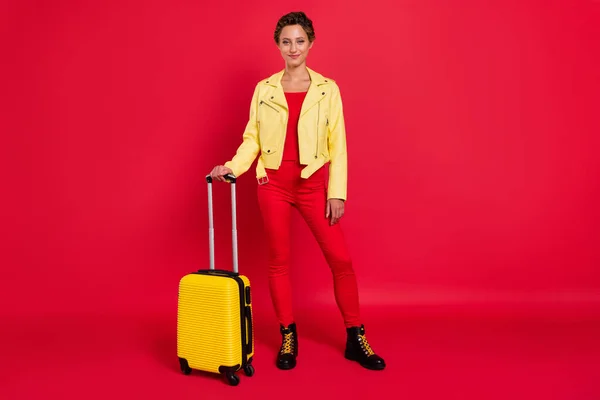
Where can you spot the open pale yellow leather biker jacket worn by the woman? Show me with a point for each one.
(321, 132)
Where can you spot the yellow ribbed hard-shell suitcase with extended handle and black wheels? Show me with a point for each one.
(214, 313)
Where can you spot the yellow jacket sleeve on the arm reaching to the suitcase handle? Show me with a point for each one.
(250, 147)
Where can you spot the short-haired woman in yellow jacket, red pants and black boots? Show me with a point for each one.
(296, 124)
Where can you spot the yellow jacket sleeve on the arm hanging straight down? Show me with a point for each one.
(338, 167)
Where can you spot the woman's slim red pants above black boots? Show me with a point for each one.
(286, 189)
